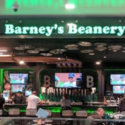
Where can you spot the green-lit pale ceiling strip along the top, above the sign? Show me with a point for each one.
(57, 7)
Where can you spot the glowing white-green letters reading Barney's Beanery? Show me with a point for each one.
(72, 29)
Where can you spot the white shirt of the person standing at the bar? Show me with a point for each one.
(33, 100)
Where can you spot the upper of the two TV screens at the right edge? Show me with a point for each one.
(117, 79)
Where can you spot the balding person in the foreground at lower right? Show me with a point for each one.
(96, 115)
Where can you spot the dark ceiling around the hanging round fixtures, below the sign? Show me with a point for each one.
(54, 43)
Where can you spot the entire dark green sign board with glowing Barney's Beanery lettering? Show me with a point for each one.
(63, 27)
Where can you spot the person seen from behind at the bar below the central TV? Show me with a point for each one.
(65, 101)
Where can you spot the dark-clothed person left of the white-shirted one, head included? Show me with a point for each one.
(19, 98)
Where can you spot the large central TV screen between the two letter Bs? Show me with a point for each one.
(68, 80)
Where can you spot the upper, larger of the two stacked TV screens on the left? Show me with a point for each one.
(18, 78)
